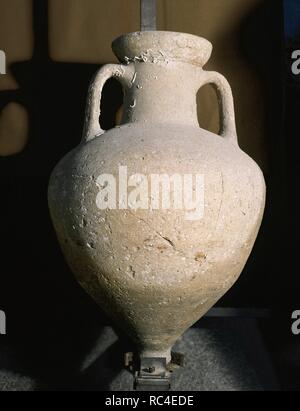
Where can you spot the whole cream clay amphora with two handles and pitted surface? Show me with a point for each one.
(154, 272)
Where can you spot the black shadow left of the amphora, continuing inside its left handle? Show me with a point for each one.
(51, 321)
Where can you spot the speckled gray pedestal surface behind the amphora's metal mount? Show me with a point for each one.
(216, 359)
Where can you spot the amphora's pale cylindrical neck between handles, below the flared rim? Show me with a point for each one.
(162, 93)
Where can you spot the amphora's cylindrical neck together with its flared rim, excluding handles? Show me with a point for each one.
(166, 68)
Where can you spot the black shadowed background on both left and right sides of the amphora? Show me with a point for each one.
(46, 309)
